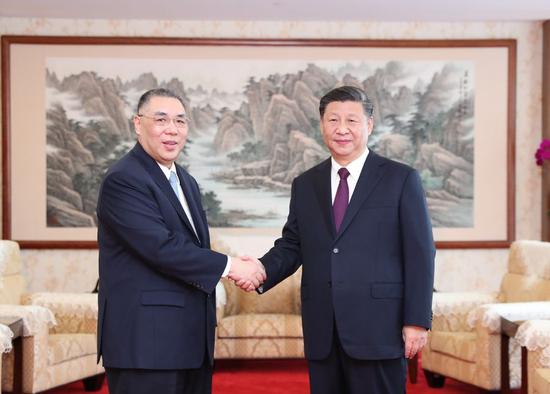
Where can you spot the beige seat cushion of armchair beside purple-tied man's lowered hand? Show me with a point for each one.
(457, 345)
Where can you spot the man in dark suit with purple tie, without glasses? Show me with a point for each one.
(359, 226)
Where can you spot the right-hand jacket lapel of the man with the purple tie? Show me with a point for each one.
(370, 176)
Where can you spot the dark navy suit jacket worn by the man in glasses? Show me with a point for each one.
(157, 279)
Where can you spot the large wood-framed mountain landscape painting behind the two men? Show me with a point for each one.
(445, 107)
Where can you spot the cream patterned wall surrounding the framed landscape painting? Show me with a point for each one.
(74, 270)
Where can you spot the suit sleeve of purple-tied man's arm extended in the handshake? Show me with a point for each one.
(283, 259)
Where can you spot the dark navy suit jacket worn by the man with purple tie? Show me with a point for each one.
(374, 276)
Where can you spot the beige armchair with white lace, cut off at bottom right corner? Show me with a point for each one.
(535, 336)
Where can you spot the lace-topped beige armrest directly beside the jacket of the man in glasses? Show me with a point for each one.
(74, 312)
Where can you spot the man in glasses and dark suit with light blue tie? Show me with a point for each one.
(156, 270)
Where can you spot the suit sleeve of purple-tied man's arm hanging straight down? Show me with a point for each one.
(418, 253)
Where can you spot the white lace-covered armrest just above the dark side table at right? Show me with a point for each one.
(488, 317)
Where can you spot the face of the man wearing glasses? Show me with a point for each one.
(162, 143)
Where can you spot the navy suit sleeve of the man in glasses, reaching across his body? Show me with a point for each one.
(128, 209)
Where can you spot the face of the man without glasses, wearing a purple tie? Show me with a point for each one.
(346, 129)
